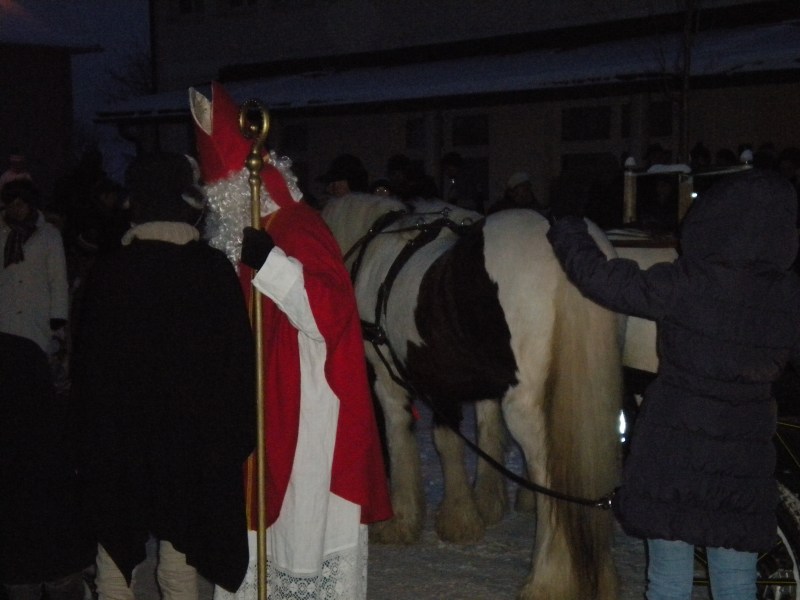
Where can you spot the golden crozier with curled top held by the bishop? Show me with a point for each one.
(254, 124)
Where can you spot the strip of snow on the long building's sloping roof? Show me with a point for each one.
(756, 49)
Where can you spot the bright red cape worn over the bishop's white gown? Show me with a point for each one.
(358, 474)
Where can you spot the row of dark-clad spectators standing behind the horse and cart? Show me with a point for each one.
(599, 199)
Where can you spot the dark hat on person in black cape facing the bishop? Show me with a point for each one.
(165, 186)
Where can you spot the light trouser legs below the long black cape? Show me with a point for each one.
(177, 580)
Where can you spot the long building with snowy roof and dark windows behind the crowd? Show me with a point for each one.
(563, 90)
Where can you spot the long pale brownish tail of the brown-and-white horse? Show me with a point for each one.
(584, 391)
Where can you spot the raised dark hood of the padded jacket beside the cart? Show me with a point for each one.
(746, 220)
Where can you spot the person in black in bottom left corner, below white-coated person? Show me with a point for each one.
(44, 544)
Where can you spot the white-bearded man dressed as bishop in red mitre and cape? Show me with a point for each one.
(325, 475)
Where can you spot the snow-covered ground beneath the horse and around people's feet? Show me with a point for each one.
(493, 569)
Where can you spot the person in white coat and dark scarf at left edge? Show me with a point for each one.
(34, 293)
